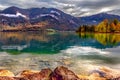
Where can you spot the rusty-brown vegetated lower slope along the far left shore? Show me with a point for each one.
(23, 27)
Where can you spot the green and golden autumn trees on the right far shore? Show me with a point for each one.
(106, 26)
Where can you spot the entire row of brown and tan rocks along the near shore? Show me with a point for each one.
(61, 73)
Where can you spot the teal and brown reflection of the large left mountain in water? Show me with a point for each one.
(17, 43)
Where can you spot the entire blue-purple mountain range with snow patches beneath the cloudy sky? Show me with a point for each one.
(56, 19)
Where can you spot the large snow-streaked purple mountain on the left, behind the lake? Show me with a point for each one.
(54, 18)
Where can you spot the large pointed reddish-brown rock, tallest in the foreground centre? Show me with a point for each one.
(62, 73)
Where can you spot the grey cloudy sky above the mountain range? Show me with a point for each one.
(73, 7)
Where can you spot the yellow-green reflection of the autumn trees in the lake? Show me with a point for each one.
(105, 39)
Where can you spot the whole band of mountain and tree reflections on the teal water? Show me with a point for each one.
(42, 43)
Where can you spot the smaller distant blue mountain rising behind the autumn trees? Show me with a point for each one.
(97, 18)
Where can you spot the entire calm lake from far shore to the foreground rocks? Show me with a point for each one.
(79, 52)
